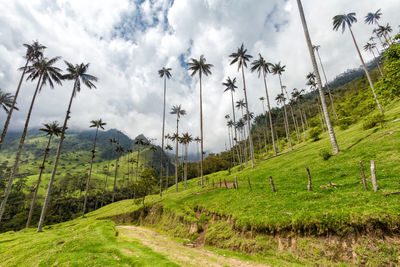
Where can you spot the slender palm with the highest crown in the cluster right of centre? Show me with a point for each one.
(241, 58)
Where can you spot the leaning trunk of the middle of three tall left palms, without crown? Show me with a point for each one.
(19, 151)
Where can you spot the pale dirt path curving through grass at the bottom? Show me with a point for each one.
(177, 252)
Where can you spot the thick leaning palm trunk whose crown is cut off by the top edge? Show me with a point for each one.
(315, 67)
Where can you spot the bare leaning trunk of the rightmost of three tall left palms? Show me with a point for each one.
(53, 174)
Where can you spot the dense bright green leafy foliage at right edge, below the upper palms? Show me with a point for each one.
(388, 87)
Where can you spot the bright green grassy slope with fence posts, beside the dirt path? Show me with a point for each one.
(292, 207)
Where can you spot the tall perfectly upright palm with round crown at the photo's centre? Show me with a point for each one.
(201, 67)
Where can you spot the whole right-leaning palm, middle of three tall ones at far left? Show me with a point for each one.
(44, 70)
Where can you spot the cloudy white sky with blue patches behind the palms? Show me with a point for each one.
(126, 42)
